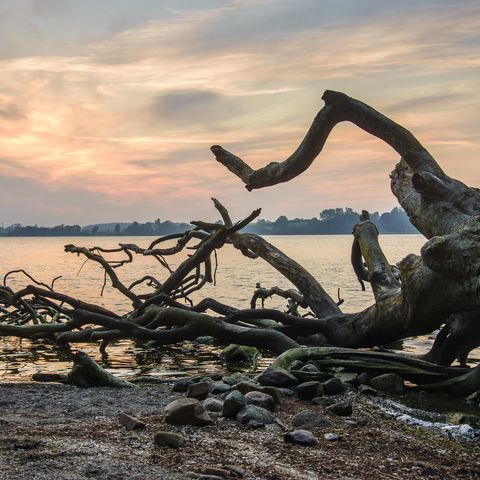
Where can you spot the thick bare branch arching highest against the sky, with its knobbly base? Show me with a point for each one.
(435, 203)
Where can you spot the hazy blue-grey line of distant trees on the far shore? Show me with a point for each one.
(330, 221)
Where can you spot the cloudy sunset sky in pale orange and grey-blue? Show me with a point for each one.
(108, 109)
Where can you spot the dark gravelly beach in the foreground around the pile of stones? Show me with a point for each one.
(55, 431)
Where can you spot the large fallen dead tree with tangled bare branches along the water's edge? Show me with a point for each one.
(438, 289)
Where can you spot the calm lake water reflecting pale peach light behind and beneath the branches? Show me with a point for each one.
(326, 257)
